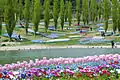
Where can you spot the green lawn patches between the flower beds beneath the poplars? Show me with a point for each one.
(73, 41)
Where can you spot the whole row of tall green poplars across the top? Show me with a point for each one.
(90, 10)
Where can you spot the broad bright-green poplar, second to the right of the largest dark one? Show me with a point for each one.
(36, 15)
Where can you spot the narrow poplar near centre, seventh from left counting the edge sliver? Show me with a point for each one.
(62, 13)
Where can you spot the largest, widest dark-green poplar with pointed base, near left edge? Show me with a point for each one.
(9, 17)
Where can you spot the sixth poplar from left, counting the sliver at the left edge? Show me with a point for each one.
(55, 13)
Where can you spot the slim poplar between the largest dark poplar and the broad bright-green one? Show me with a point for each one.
(27, 15)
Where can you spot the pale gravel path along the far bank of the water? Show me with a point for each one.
(30, 47)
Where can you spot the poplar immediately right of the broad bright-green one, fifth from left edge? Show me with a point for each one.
(46, 14)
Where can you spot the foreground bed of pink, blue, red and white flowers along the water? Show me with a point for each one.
(103, 67)
